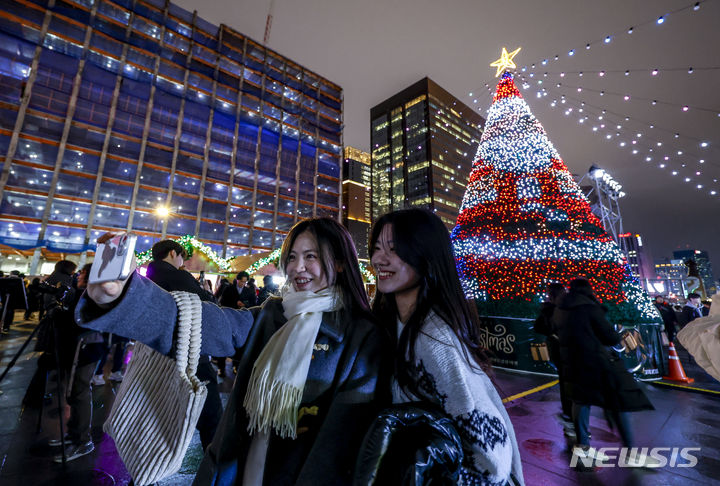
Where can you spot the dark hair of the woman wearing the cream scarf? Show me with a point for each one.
(338, 258)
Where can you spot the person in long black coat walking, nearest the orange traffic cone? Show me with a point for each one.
(595, 374)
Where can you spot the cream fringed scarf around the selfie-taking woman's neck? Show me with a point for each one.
(278, 377)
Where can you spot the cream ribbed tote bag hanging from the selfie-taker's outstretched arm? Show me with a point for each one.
(159, 401)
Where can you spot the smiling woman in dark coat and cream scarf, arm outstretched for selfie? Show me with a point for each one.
(308, 376)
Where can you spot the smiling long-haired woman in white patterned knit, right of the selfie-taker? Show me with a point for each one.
(420, 300)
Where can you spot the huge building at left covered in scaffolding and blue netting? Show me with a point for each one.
(110, 110)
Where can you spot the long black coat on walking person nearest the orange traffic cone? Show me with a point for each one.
(595, 374)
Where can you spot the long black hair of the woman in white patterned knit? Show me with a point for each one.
(422, 241)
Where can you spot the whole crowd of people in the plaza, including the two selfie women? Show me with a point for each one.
(318, 365)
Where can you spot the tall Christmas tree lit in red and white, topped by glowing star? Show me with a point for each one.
(524, 223)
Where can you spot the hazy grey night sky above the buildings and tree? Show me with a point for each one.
(375, 48)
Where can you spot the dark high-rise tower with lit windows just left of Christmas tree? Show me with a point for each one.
(423, 141)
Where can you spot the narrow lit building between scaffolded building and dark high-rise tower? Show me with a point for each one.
(356, 197)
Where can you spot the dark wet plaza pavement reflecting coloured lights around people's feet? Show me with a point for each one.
(683, 418)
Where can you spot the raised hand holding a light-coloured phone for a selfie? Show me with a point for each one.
(114, 263)
